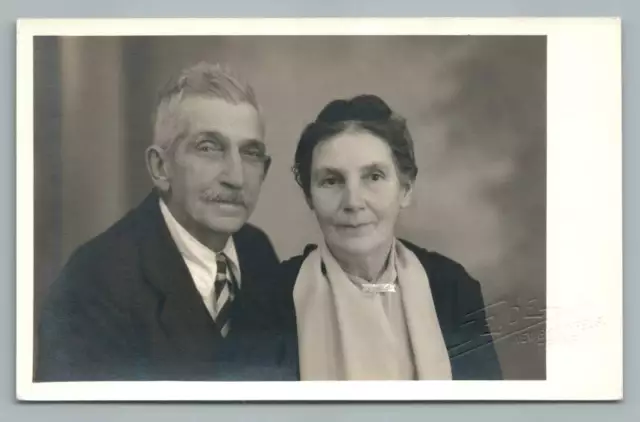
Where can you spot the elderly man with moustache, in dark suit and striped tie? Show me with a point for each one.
(179, 288)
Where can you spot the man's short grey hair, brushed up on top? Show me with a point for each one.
(203, 79)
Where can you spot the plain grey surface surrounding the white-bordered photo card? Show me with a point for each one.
(524, 412)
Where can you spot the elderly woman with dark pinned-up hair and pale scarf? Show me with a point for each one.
(363, 304)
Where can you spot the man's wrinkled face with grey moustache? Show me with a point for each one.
(216, 166)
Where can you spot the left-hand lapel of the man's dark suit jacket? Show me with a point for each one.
(182, 315)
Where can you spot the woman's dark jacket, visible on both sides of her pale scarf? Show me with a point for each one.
(459, 306)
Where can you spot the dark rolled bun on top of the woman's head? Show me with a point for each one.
(364, 108)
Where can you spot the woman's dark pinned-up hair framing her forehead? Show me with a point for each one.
(364, 112)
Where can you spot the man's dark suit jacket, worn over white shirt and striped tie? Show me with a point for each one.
(125, 308)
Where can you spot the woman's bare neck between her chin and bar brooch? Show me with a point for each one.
(366, 266)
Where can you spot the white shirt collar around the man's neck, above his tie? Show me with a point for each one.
(192, 249)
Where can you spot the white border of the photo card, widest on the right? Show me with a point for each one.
(584, 213)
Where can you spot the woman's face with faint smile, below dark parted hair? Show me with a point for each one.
(356, 192)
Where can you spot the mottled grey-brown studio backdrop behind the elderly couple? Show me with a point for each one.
(476, 107)
